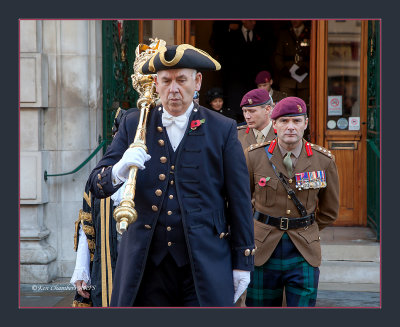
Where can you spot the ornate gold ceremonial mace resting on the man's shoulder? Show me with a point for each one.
(125, 213)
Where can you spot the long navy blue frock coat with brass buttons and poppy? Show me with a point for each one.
(210, 171)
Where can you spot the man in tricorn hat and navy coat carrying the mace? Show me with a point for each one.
(186, 247)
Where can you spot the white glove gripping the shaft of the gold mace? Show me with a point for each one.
(132, 157)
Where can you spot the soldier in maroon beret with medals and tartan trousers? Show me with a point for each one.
(290, 179)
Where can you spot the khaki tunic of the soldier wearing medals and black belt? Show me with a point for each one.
(272, 199)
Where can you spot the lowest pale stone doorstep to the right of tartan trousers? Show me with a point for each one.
(349, 272)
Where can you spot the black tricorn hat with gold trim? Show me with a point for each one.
(179, 56)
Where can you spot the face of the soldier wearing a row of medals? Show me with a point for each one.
(290, 130)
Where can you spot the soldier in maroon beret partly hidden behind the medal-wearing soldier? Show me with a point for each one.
(256, 106)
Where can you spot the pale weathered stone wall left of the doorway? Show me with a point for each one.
(60, 122)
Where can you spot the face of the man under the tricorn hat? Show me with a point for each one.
(176, 89)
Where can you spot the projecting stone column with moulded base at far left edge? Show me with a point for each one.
(37, 256)
